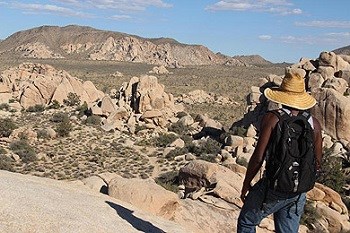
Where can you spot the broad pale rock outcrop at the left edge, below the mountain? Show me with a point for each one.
(36, 84)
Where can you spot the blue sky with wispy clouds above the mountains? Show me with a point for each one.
(278, 30)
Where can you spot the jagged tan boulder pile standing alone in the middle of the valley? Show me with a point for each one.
(142, 100)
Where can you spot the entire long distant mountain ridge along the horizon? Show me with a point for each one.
(81, 42)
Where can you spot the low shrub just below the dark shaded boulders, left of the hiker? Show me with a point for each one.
(209, 146)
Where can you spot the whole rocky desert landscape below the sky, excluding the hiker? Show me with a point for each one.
(108, 132)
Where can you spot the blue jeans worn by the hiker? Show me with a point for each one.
(286, 209)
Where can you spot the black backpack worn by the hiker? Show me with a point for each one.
(290, 158)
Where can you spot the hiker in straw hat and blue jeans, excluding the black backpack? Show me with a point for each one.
(262, 199)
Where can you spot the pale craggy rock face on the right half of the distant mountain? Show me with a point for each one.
(135, 50)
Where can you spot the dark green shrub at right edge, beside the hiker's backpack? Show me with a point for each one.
(331, 173)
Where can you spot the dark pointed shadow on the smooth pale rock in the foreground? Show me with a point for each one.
(136, 222)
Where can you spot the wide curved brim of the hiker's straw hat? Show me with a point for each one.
(295, 100)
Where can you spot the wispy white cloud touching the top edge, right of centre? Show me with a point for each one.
(282, 7)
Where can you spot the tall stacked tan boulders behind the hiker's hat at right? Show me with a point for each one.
(326, 78)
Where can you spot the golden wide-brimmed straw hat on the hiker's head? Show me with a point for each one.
(291, 93)
